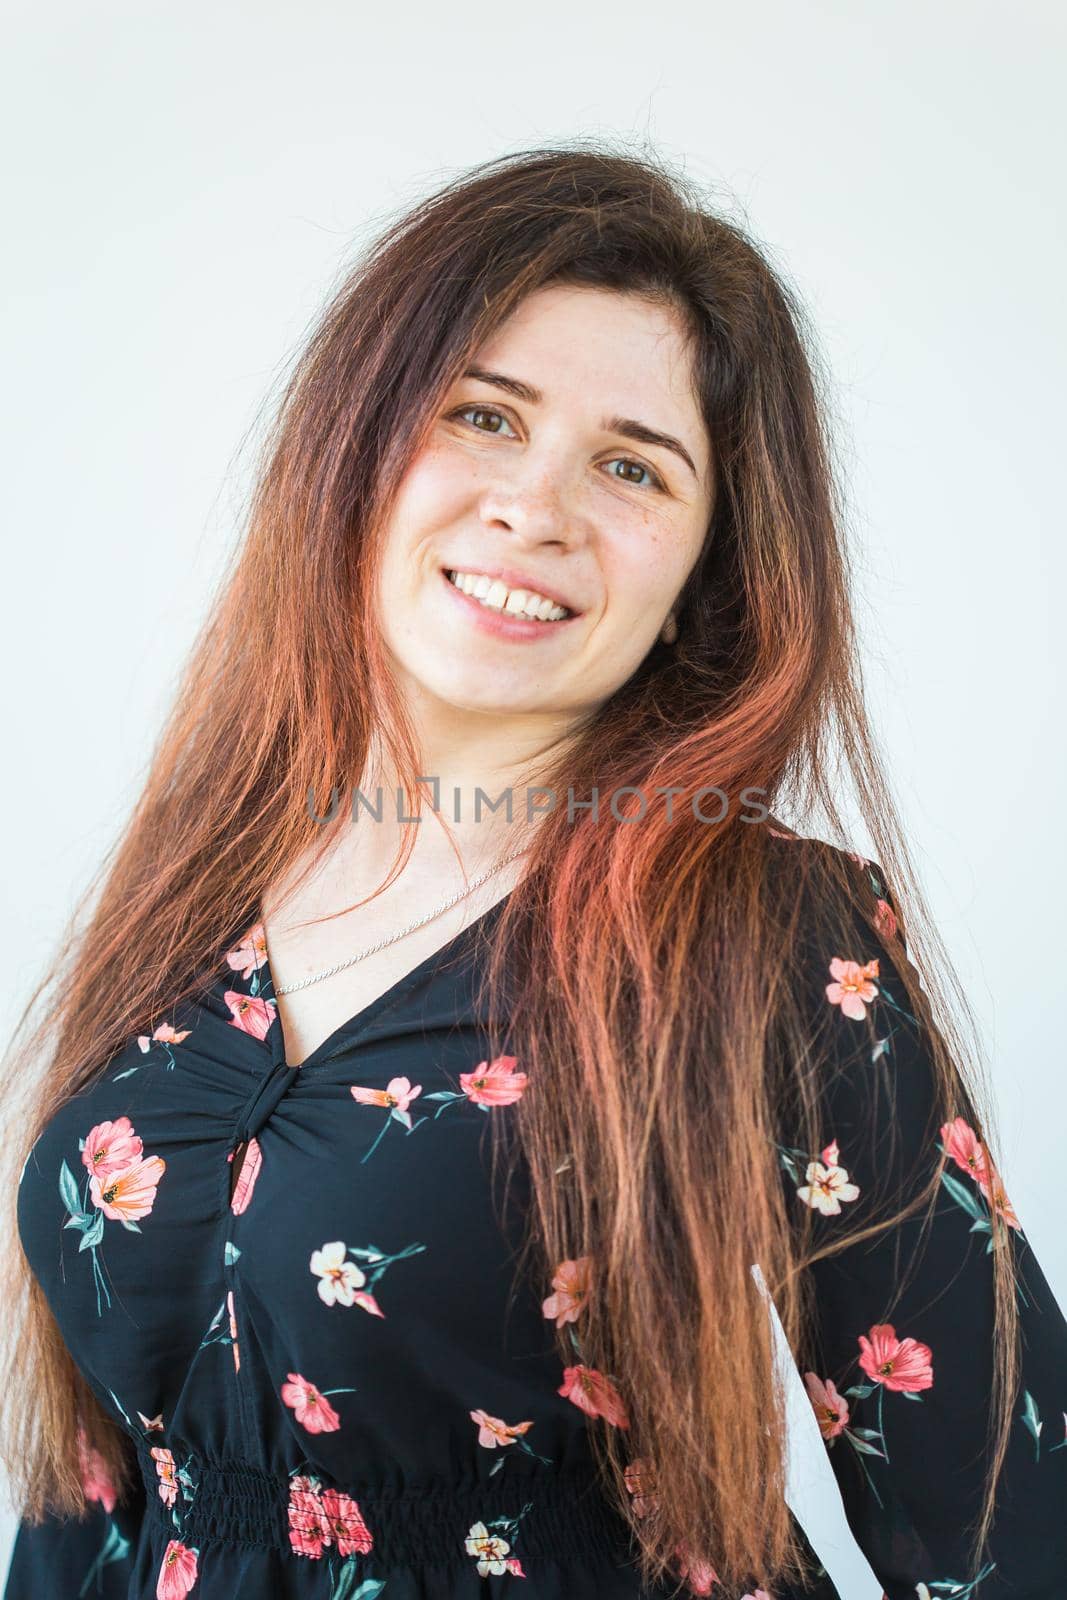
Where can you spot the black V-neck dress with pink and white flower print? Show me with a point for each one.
(290, 1289)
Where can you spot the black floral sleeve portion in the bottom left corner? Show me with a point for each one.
(79, 1558)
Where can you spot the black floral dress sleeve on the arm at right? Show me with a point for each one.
(901, 1362)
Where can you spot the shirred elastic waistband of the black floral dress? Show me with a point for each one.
(559, 1516)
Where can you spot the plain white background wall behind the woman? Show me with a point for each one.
(185, 185)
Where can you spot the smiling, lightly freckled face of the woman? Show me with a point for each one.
(575, 466)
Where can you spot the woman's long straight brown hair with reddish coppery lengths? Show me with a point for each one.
(653, 953)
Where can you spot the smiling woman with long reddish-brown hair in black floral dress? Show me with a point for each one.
(546, 514)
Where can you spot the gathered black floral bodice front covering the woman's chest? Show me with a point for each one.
(350, 1239)
